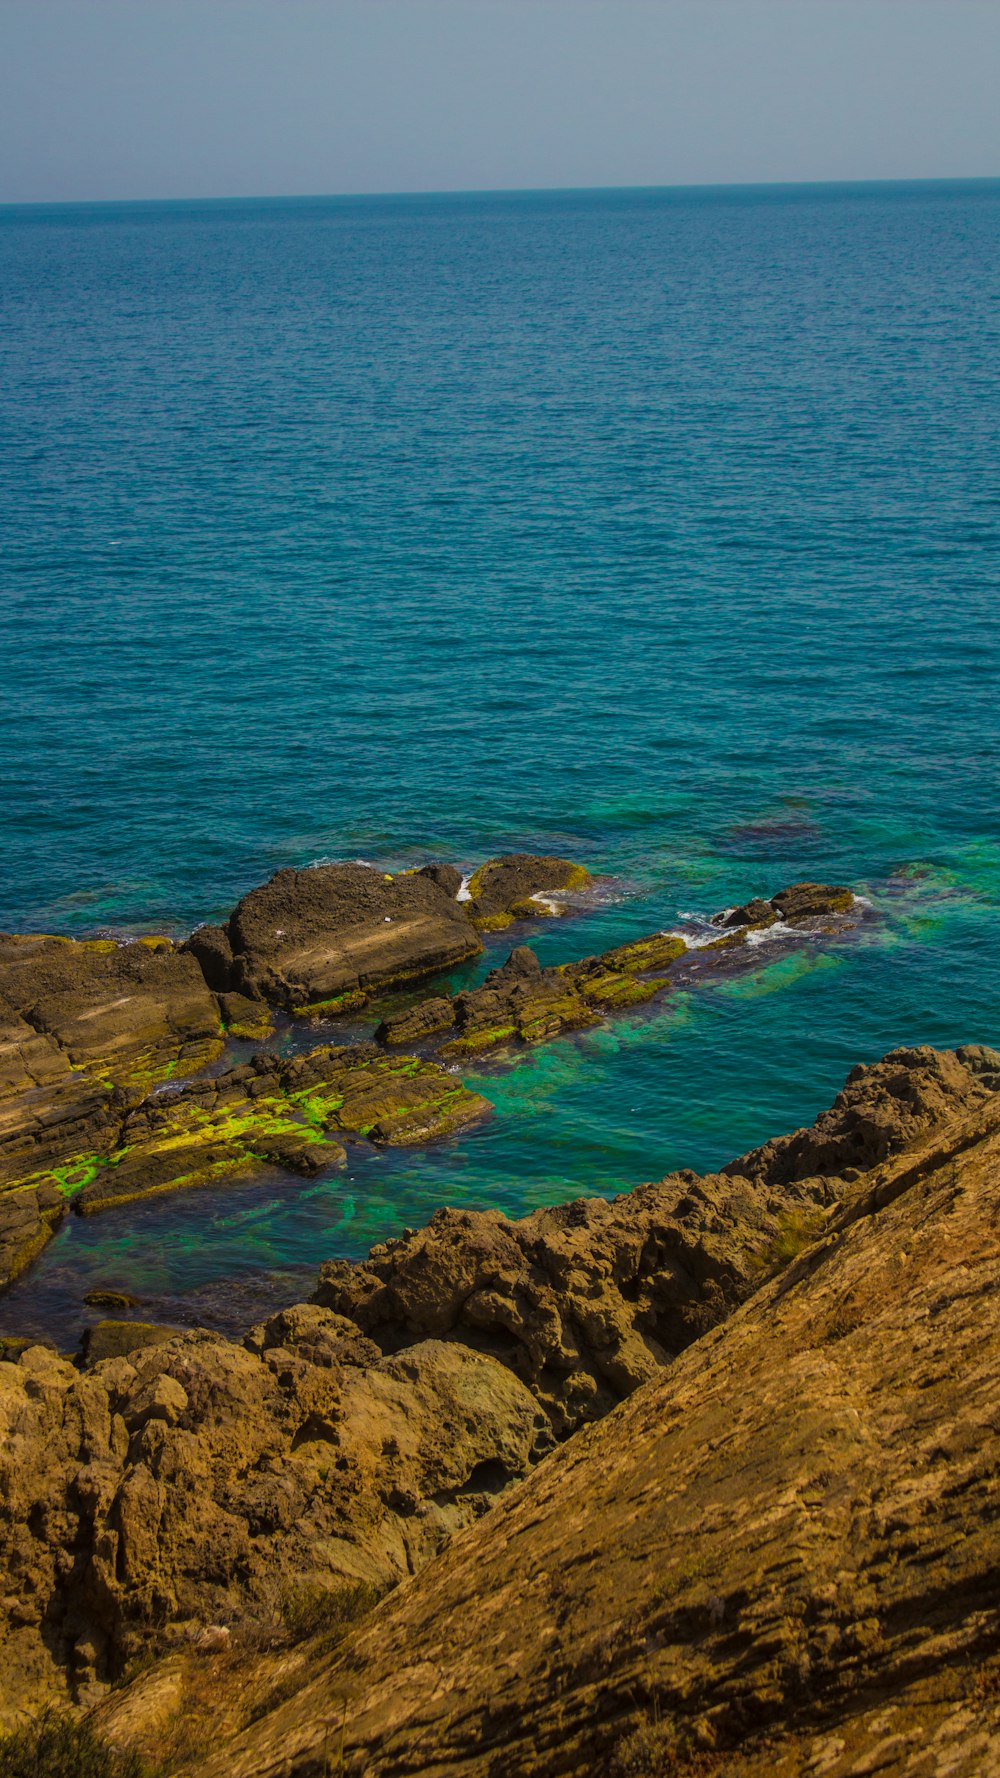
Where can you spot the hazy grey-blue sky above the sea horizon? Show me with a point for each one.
(200, 99)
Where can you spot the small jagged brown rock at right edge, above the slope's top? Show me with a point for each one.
(883, 1109)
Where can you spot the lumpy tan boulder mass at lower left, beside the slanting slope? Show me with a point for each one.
(200, 1484)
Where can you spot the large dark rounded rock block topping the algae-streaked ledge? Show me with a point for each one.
(321, 940)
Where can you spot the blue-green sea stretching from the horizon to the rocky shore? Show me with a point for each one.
(650, 527)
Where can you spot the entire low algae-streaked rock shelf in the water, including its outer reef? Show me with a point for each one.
(122, 1078)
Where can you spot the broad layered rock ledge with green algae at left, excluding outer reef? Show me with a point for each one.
(99, 1037)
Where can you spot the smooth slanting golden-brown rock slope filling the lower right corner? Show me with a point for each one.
(777, 1558)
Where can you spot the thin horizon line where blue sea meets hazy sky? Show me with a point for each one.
(497, 191)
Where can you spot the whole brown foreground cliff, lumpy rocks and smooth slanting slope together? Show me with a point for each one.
(698, 1480)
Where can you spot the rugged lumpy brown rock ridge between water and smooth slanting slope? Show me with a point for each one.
(190, 1484)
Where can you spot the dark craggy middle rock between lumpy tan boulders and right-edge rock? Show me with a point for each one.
(585, 1301)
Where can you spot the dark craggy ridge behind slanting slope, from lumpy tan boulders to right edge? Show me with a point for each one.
(590, 1299)
